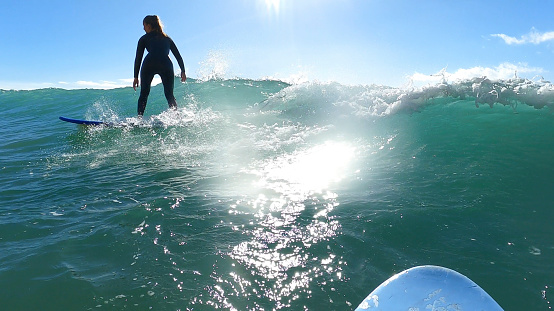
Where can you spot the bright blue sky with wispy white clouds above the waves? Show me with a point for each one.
(73, 43)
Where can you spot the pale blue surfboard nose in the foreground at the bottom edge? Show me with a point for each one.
(429, 288)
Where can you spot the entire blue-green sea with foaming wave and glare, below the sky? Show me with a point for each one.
(262, 195)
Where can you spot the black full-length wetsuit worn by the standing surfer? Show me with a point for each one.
(157, 61)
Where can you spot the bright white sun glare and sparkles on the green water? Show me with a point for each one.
(290, 223)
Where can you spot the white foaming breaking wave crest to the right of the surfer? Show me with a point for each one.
(378, 101)
